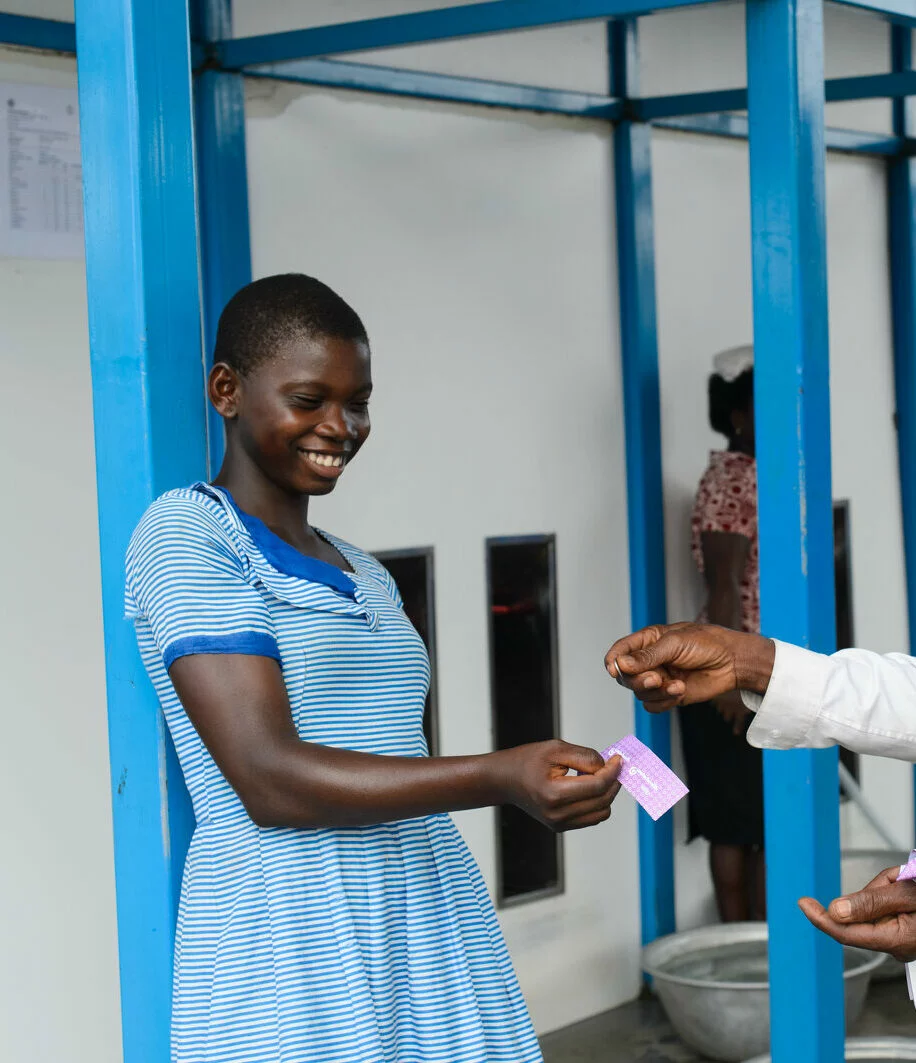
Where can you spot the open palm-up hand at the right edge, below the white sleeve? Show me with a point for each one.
(881, 917)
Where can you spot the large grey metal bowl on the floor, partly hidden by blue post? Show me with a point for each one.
(714, 985)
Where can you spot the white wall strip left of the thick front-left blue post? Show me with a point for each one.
(59, 966)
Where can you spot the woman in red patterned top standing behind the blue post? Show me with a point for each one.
(726, 774)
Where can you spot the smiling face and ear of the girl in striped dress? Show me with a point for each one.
(301, 416)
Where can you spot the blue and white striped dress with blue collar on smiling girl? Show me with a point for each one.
(362, 946)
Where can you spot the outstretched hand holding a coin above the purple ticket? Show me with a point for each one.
(684, 664)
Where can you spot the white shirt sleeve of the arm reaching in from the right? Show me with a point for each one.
(863, 701)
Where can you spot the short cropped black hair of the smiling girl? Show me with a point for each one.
(269, 313)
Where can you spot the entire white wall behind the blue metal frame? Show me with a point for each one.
(480, 249)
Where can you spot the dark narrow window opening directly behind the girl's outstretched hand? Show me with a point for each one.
(521, 580)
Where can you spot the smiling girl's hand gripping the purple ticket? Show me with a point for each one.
(565, 787)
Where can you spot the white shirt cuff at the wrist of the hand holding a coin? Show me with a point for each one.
(789, 711)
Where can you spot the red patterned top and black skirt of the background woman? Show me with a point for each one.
(725, 773)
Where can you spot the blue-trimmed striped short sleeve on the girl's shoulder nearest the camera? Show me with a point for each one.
(188, 582)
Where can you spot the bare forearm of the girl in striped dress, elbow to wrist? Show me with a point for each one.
(303, 785)
